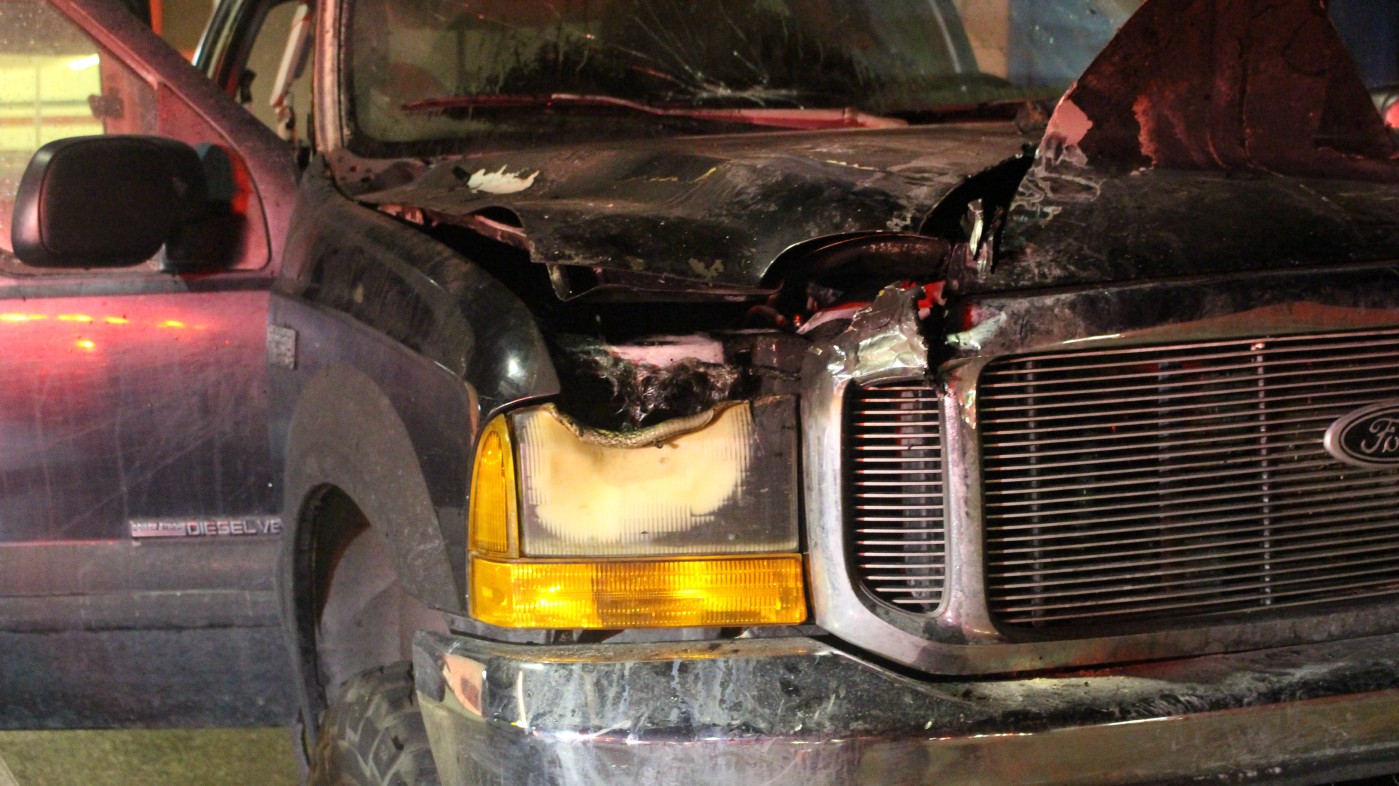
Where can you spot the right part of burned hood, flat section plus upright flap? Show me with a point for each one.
(1209, 138)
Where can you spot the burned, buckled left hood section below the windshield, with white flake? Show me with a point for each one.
(704, 212)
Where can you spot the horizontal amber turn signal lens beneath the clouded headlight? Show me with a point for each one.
(664, 594)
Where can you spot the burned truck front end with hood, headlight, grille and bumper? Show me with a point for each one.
(1028, 441)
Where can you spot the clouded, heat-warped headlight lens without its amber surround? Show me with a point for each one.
(714, 487)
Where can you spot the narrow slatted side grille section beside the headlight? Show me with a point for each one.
(895, 494)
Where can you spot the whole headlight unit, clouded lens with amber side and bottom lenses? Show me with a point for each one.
(688, 524)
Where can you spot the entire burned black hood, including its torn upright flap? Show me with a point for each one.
(1211, 136)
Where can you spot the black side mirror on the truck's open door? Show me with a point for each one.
(110, 202)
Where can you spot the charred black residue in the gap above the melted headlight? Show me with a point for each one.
(609, 391)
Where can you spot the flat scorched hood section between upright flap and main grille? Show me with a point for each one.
(1091, 227)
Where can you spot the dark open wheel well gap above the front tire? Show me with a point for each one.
(352, 610)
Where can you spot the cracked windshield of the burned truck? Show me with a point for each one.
(432, 73)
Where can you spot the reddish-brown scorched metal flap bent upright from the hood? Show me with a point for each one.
(1243, 86)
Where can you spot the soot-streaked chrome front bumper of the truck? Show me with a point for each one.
(797, 711)
